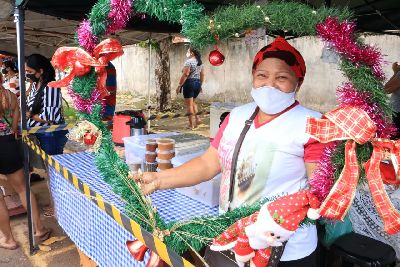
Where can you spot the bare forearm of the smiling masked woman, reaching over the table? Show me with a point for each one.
(195, 171)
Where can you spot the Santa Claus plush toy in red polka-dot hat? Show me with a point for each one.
(252, 237)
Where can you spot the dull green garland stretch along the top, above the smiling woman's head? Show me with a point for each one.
(283, 18)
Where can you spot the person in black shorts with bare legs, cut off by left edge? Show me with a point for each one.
(11, 165)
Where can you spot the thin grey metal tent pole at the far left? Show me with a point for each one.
(19, 20)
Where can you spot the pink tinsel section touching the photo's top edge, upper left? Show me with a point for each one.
(119, 15)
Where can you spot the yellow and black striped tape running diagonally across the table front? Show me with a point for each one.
(152, 242)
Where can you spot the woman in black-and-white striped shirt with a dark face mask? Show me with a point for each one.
(44, 104)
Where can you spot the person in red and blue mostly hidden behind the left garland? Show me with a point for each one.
(110, 101)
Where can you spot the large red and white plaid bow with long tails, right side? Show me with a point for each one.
(354, 125)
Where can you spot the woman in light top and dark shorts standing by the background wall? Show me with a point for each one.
(191, 80)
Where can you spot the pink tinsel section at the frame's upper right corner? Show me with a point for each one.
(341, 37)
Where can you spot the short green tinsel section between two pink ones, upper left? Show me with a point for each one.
(98, 17)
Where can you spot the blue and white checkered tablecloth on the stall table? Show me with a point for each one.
(92, 230)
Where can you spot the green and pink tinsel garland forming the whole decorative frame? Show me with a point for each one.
(359, 62)
